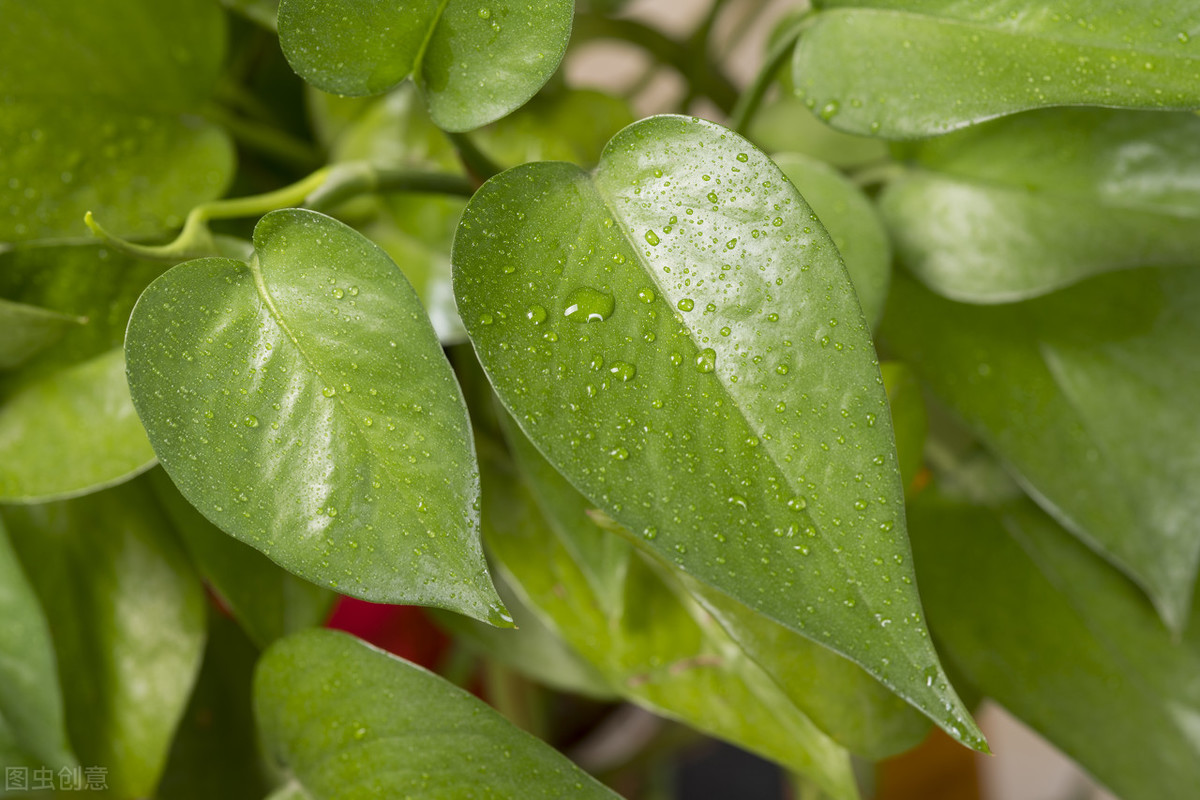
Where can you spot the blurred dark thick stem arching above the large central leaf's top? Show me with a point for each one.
(695, 67)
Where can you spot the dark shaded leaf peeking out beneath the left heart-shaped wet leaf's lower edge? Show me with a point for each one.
(268, 601)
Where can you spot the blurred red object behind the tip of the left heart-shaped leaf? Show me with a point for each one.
(401, 630)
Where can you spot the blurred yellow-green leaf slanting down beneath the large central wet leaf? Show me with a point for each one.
(652, 643)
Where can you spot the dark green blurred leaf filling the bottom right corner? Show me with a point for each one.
(1066, 643)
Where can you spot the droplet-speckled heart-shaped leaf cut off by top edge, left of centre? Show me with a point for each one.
(473, 63)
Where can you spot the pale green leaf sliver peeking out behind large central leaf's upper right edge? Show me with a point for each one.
(854, 225)
